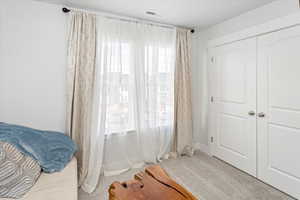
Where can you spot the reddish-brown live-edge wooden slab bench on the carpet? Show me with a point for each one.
(153, 184)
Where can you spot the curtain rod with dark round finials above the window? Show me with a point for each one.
(67, 10)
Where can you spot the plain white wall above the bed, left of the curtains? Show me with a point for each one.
(32, 64)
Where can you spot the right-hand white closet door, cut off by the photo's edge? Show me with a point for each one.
(279, 105)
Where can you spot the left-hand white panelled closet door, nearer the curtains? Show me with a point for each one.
(235, 104)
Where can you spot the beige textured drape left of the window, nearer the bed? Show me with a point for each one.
(80, 80)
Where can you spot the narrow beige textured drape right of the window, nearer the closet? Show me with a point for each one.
(183, 133)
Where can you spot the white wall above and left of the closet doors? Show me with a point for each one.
(252, 18)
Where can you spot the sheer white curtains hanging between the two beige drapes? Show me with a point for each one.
(134, 97)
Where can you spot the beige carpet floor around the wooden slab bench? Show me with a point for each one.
(207, 178)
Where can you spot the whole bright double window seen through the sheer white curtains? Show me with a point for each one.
(138, 86)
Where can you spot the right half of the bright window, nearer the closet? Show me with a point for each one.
(160, 68)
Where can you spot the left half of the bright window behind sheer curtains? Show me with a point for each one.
(119, 116)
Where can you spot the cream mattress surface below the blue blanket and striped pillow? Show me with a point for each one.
(56, 186)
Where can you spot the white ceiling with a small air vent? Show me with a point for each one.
(186, 13)
